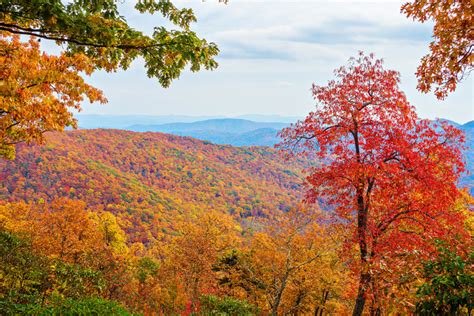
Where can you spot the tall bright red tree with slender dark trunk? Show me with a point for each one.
(387, 174)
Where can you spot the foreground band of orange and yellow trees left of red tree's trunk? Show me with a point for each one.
(167, 276)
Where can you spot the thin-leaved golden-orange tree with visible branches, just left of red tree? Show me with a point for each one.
(292, 258)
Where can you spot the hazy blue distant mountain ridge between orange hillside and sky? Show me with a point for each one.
(236, 132)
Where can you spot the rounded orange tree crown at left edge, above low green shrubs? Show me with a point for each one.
(61, 229)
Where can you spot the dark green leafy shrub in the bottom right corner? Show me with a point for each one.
(447, 289)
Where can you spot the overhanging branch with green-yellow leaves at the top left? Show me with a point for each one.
(98, 30)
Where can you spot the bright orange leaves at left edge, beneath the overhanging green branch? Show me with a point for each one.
(37, 91)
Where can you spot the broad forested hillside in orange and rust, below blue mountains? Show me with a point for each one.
(149, 179)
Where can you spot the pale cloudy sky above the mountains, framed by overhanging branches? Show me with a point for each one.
(271, 52)
